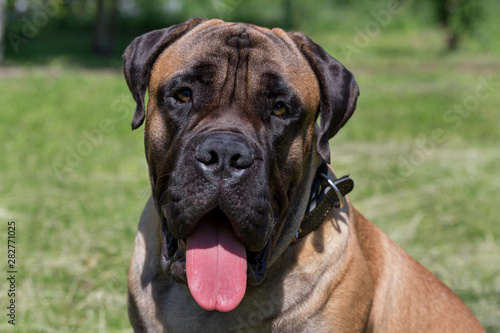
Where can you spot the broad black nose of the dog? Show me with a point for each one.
(224, 155)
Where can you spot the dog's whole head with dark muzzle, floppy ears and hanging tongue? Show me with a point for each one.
(231, 144)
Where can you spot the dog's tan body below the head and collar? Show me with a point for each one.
(347, 276)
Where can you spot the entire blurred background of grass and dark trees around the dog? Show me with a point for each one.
(422, 146)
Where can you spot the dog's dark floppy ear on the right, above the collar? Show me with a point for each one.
(338, 90)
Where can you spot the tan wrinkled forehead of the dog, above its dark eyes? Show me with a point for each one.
(264, 51)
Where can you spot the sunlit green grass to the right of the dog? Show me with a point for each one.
(437, 198)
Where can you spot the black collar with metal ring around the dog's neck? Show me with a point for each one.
(325, 194)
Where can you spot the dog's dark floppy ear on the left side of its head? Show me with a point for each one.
(140, 56)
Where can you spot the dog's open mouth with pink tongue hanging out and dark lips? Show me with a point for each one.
(213, 262)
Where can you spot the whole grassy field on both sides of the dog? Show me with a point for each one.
(73, 176)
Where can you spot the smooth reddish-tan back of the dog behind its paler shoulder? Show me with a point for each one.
(402, 285)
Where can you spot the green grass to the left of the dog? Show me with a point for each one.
(75, 234)
